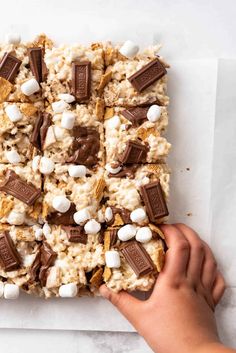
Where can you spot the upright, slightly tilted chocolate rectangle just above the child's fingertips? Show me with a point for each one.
(154, 201)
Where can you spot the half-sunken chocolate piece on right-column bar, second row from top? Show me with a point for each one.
(135, 152)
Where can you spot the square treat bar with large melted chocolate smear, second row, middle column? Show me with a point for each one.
(75, 135)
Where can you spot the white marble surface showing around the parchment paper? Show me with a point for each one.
(189, 29)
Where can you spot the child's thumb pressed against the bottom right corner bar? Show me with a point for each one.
(129, 306)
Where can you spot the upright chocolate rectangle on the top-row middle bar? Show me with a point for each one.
(81, 80)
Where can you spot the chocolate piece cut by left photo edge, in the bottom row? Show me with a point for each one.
(9, 256)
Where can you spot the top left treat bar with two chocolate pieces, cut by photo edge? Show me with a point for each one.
(22, 63)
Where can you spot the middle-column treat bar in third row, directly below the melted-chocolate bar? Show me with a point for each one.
(84, 193)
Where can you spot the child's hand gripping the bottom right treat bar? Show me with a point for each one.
(178, 317)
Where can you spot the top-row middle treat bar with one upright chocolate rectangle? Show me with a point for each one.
(76, 70)
